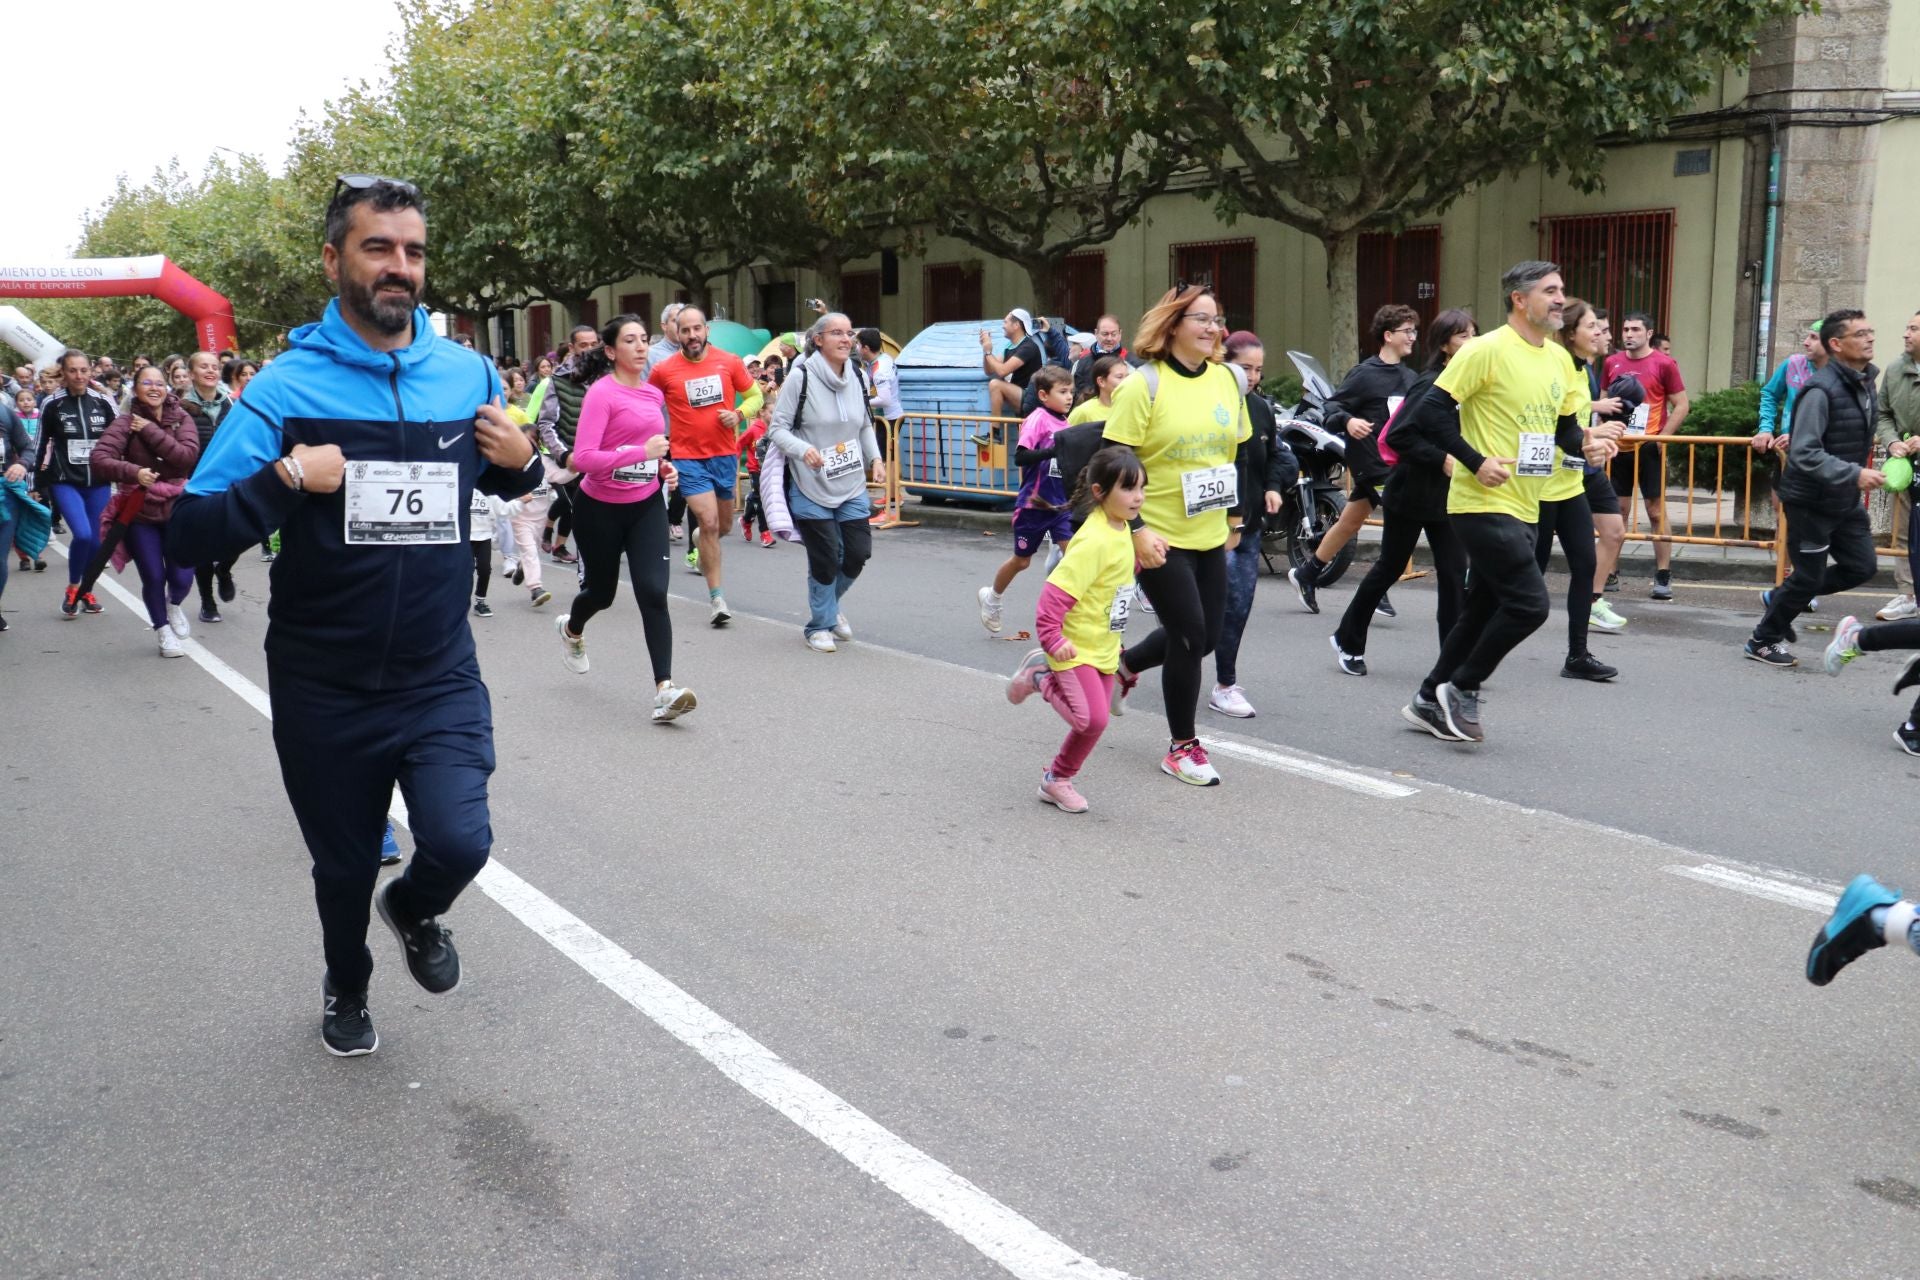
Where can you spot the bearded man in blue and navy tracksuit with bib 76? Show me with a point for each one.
(364, 446)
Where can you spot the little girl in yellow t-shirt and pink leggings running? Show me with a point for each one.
(1084, 609)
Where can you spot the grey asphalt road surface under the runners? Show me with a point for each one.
(809, 985)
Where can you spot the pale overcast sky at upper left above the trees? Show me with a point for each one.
(132, 85)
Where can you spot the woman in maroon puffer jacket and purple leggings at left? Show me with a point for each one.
(155, 446)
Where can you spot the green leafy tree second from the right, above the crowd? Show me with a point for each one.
(1003, 124)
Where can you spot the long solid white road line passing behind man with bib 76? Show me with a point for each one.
(951, 1200)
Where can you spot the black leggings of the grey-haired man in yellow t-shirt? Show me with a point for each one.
(1506, 602)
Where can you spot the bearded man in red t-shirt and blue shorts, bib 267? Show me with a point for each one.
(702, 387)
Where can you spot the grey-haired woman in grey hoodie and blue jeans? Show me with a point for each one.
(823, 423)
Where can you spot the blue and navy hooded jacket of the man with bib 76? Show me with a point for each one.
(352, 617)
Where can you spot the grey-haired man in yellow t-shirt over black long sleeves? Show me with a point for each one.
(1520, 398)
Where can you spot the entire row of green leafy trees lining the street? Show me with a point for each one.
(565, 145)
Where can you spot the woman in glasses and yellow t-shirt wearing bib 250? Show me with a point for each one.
(1186, 415)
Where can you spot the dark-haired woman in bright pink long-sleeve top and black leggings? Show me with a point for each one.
(621, 456)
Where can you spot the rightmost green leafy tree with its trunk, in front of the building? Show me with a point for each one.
(1374, 114)
